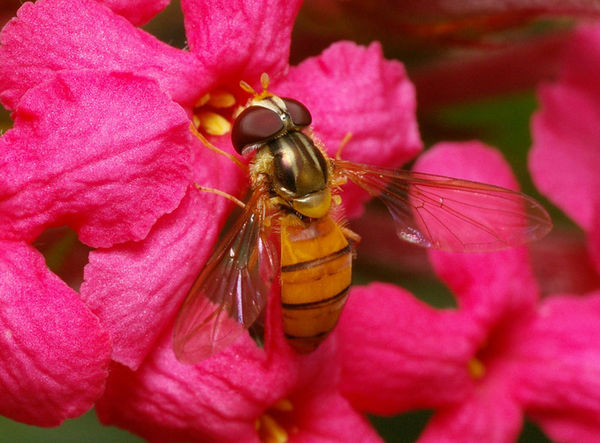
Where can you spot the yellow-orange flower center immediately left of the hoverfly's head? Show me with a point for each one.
(214, 111)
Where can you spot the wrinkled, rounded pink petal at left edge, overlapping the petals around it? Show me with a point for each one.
(106, 154)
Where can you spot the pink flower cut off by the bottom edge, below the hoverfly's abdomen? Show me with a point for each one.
(240, 394)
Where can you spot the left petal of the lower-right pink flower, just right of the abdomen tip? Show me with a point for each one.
(399, 353)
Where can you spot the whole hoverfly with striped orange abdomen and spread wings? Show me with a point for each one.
(294, 196)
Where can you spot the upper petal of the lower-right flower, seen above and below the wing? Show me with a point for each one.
(492, 283)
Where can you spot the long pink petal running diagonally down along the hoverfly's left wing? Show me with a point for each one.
(136, 288)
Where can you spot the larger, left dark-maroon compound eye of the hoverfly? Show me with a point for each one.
(254, 125)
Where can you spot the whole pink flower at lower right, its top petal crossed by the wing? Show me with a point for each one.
(500, 355)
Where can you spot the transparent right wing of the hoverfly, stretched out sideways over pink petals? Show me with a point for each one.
(451, 214)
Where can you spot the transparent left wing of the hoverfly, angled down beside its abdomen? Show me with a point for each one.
(231, 291)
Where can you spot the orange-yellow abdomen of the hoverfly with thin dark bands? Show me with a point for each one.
(316, 272)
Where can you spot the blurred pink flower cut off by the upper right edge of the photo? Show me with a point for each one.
(564, 159)
